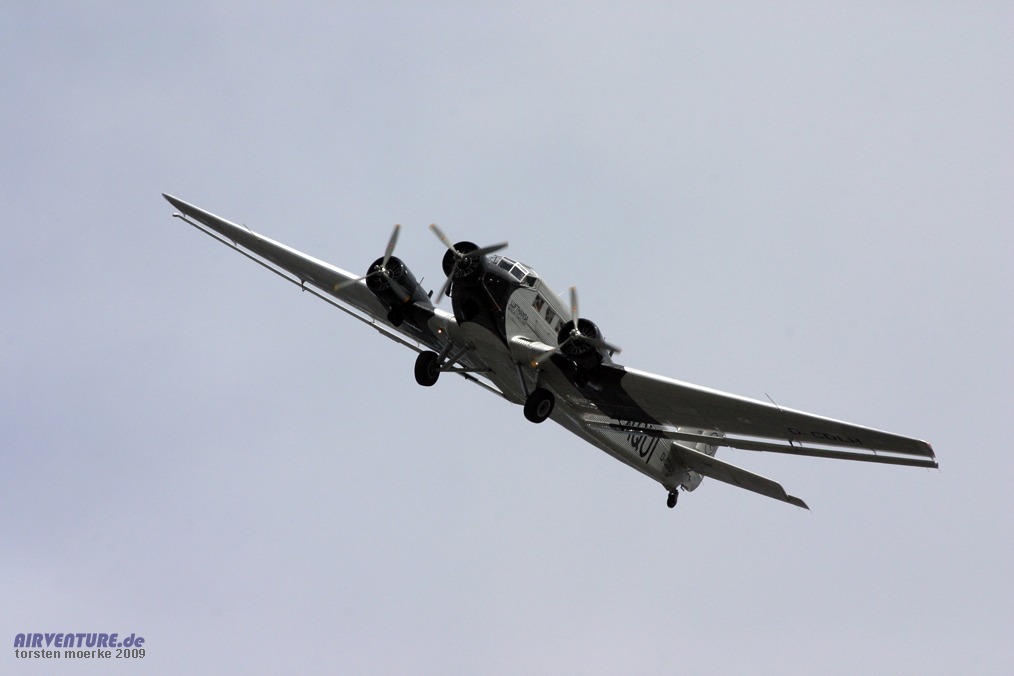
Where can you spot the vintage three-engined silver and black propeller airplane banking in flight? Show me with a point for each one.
(511, 334)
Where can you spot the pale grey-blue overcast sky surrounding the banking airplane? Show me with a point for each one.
(809, 201)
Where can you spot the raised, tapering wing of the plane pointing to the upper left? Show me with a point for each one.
(341, 288)
